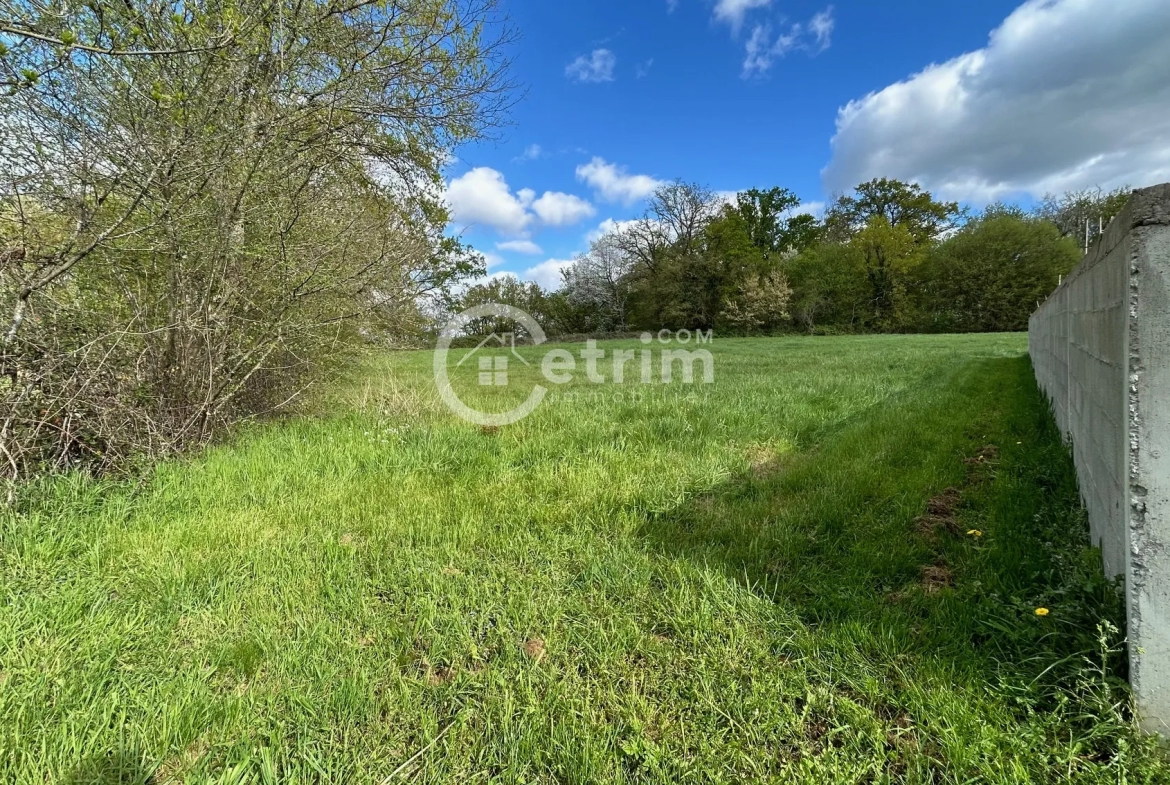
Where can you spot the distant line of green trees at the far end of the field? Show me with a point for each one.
(887, 258)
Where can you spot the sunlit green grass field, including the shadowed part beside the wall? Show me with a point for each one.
(767, 580)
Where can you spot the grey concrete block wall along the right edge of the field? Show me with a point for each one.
(1102, 352)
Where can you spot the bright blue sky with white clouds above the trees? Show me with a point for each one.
(978, 101)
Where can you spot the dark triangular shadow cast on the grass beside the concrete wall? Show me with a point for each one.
(933, 527)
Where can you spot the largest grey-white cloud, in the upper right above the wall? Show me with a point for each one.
(1068, 94)
